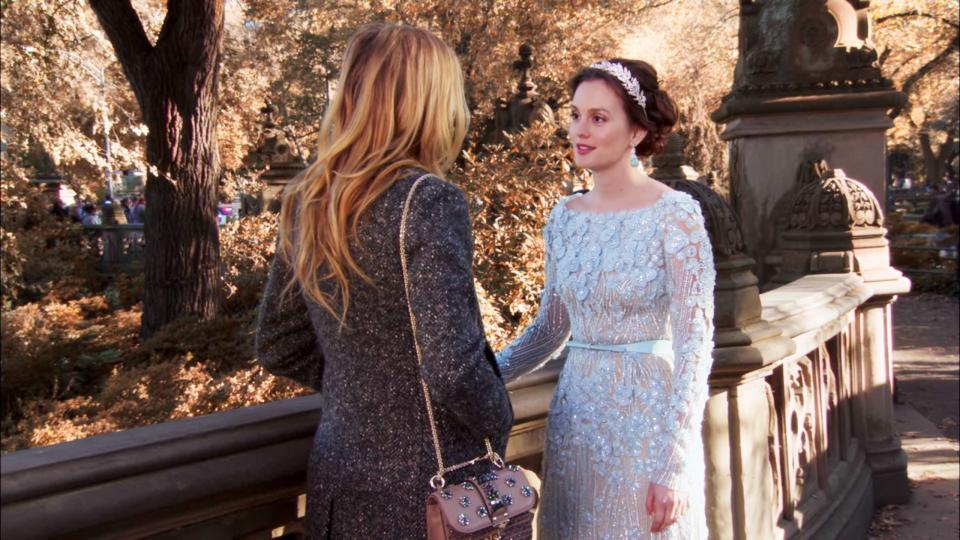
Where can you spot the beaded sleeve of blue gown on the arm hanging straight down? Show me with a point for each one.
(690, 280)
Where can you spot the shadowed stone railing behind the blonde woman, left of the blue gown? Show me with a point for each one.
(236, 474)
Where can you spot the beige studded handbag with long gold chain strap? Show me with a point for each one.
(496, 505)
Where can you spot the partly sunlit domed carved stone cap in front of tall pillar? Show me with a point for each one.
(834, 203)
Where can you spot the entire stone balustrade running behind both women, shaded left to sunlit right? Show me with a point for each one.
(798, 444)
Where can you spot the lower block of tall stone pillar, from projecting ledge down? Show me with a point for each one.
(770, 145)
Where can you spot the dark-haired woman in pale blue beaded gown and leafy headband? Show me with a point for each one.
(630, 277)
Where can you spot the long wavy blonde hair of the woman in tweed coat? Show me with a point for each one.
(399, 103)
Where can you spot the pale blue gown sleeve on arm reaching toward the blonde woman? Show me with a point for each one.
(546, 337)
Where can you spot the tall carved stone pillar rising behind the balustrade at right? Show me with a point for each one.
(807, 87)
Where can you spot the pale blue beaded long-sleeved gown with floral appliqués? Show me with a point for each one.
(619, 420)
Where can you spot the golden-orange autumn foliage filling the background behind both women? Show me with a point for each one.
(73, 364)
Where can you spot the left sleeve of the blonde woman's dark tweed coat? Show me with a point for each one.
(285, 341)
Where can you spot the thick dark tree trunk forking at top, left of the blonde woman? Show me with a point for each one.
(175, 82)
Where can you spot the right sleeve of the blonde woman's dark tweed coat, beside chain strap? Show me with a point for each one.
(456, 361)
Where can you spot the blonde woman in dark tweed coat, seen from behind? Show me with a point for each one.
(334, 315)
